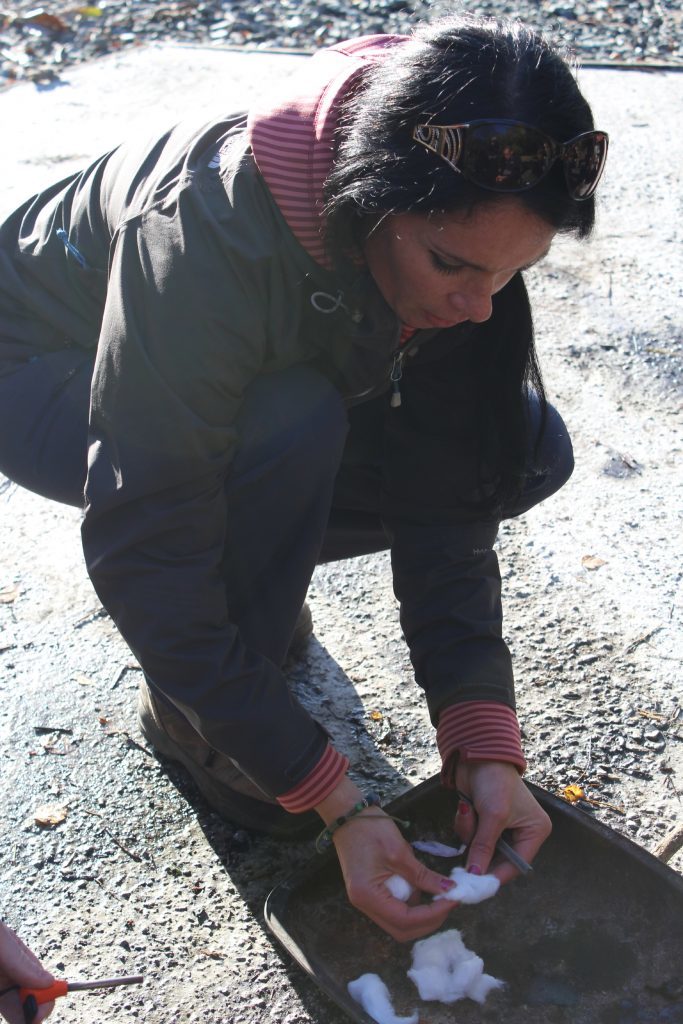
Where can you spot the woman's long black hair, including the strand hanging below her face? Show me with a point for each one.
(457, 70)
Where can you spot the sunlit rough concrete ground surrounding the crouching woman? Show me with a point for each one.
(141, 875)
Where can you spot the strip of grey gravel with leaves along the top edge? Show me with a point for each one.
(38, 42)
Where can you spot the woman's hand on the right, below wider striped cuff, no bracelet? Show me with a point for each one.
(501, 802)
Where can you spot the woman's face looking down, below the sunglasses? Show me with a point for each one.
(440, 271)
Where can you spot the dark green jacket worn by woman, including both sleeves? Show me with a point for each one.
(184, 279)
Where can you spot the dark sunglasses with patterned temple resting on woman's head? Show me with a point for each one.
(511, 157)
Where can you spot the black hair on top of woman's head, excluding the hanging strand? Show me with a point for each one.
(455, 70)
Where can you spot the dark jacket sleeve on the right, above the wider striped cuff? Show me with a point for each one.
(445, 568)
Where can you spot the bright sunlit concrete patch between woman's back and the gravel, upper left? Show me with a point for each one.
(58, 127)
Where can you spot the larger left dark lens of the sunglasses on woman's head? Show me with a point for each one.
(505, 157)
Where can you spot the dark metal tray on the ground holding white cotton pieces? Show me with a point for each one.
(594, 936)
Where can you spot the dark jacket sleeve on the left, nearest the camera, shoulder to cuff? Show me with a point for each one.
(183, 335)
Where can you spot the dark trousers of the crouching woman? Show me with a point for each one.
(303, 490)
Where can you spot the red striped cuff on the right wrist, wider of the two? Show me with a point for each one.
(478, 731)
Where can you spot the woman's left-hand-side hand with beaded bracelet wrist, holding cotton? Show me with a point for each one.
(371, 849)
